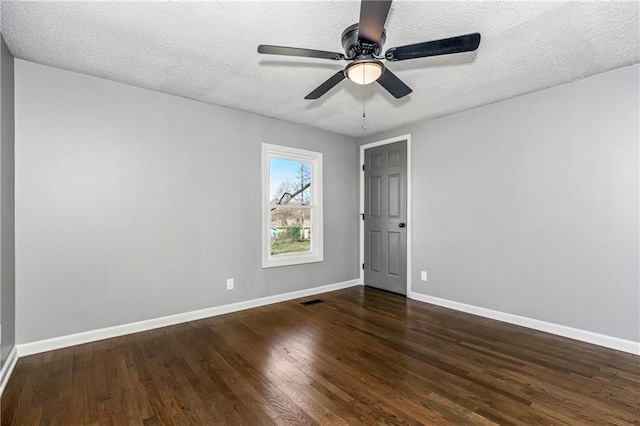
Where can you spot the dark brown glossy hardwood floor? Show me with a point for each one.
(361, 357)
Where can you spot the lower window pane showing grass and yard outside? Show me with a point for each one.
(290, 230)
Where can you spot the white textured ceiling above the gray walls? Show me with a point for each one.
(207, 51)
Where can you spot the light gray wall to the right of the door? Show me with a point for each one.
(530, 206)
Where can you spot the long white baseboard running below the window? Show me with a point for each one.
(135, 327)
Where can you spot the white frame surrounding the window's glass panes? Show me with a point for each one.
(316, 254)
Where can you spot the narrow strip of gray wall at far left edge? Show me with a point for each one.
(7, 246)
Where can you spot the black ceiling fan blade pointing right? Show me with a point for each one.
(465, 43)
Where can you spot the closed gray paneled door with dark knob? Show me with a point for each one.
(385, 215)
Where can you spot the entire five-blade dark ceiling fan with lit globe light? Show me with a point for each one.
(362, 43)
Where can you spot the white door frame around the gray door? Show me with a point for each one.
(407, 138)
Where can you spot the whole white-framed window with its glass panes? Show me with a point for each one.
(292, 206)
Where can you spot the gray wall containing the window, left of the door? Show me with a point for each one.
(132, 204)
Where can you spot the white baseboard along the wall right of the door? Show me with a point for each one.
(616, 343)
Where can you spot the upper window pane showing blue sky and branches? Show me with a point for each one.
(289, 181)
